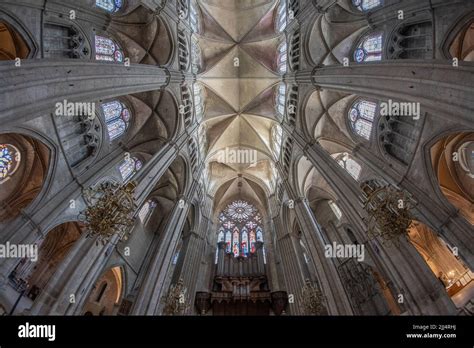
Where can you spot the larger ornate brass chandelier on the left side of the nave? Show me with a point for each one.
(110, 211)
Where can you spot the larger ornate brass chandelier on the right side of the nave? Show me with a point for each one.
(389, 212)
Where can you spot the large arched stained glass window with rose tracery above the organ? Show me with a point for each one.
(241, 226)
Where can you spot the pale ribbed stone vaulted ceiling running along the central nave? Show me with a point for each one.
(239, 76)
